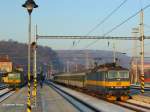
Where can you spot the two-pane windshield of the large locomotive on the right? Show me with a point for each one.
(118, 74)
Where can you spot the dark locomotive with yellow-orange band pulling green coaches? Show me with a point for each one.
(110, 80)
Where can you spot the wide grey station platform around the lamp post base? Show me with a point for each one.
(47, 101)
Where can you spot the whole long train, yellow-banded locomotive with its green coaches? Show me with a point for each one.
(108, 80)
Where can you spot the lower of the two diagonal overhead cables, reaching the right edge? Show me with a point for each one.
(117, 26)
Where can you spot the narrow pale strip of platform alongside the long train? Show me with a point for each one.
(102, 105)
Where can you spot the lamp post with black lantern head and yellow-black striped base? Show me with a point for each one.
(29, 5)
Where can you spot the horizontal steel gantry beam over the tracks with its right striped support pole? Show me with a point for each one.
(141, 39)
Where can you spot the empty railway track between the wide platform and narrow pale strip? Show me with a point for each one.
(77, 103)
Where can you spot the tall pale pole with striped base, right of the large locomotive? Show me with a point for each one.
(142, 50)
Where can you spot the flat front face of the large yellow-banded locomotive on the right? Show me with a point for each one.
(118, 83)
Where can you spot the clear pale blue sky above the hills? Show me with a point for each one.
(73, 17)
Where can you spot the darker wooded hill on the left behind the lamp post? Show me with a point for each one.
(18, 54)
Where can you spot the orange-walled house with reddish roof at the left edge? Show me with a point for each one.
(5, 64)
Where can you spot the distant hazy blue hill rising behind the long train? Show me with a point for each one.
(86, 58)
